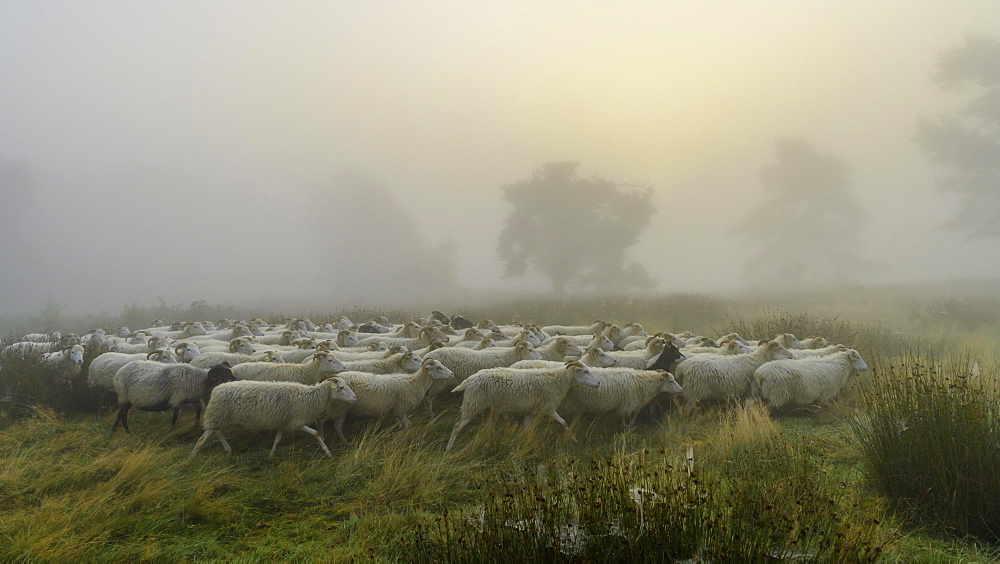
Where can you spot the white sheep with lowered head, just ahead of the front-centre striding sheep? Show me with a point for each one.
(624, 391)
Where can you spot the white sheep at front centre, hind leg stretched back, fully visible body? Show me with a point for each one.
(527, 392)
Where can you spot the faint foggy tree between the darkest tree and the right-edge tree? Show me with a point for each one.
(807, 229)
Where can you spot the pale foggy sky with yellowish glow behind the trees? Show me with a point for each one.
(331, 153)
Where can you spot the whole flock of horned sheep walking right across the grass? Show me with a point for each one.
(295, 376)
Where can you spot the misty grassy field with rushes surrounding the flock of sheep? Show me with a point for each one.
(901, 469)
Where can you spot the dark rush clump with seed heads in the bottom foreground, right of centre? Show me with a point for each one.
(762, 497)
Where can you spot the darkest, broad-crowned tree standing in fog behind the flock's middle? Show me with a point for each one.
(575, 230)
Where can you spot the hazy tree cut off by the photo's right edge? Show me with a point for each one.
(967, 142)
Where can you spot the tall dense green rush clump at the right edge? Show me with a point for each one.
(931, 444)
